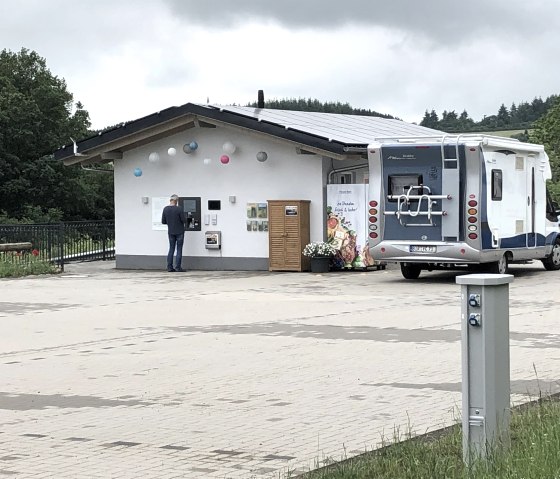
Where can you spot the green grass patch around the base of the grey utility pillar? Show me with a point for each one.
(534, 453)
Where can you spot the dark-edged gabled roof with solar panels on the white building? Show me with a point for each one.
(326, 131)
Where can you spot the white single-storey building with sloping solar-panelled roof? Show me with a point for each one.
(234, 160)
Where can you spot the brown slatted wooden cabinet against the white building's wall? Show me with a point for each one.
(288, 233)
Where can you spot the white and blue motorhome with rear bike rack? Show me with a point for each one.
(465, 200)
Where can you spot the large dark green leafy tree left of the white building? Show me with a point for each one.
(37, 116)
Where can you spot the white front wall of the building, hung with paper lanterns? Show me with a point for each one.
(285, 175)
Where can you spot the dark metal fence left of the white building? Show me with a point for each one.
(62, 242)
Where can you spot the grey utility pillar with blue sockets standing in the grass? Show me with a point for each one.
(485, 362)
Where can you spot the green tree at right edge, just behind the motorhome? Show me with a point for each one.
(547, 133)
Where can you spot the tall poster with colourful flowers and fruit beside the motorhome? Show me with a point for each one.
(347, 225)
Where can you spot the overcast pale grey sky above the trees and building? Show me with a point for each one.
(127, 59)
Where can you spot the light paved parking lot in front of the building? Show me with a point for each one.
(126, 374)
